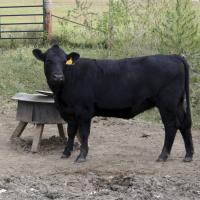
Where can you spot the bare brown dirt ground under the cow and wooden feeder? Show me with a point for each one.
(120, 165)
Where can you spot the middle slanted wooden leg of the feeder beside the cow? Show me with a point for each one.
(37, 137)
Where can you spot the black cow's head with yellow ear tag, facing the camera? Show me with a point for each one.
(55, 60)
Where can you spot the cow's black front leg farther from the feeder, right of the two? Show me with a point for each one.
(84, 131)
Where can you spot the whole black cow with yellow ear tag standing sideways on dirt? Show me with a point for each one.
(84, 88)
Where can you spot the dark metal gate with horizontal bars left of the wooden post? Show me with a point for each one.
(4, 33)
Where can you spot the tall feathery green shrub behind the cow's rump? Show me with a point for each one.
(179, 32)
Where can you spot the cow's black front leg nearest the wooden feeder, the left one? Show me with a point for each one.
(71, 130)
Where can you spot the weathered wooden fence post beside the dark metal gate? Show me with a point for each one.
(47, 19)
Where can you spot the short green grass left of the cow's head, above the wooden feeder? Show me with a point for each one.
(19, 72)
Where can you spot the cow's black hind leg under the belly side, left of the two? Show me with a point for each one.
(169, 121)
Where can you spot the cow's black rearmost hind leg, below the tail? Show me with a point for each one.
(185, 129)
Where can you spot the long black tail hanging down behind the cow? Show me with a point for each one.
(187, 118)
